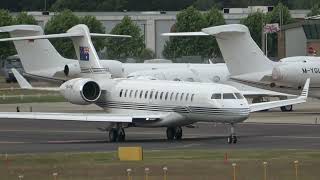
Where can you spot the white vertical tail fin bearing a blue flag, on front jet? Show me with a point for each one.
(86, 53)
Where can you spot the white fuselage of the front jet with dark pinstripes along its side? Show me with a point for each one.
(183, 103)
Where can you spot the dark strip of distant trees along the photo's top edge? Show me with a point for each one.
(144, 5)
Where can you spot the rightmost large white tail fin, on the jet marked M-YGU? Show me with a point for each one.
(239, 50)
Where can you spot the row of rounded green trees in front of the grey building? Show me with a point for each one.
(188, 20)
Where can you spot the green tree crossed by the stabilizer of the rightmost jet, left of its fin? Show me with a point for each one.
(191, 20)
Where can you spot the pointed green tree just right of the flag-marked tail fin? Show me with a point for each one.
(122, 48)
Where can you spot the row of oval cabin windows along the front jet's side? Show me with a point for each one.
(156, 95)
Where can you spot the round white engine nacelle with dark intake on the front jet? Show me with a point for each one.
(81, 91)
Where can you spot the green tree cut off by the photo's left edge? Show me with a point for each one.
(7, 48)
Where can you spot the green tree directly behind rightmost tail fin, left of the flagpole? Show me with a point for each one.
(255, 22)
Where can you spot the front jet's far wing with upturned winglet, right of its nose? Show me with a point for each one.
(273, 104)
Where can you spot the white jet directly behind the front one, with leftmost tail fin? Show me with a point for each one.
(42, 61)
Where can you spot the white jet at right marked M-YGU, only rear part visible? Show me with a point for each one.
(248, 65)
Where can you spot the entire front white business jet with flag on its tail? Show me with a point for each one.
(145, 103)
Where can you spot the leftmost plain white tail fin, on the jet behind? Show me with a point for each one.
(36, 56)
